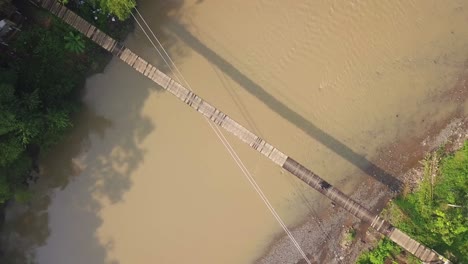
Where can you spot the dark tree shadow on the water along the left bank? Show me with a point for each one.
(91, 166)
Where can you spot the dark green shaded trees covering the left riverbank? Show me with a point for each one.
(41, 73)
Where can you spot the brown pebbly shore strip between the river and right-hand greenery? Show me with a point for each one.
(332, 235)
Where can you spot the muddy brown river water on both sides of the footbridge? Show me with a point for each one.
(143, 179)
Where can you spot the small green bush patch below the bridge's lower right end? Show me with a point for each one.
(380, 253)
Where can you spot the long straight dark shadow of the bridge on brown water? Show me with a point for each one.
(283, 110)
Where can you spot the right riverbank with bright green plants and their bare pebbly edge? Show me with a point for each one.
(430, 209)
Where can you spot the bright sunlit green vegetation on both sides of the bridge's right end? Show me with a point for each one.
(436, 214)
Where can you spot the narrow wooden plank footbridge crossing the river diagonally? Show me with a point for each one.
(230, 125)
